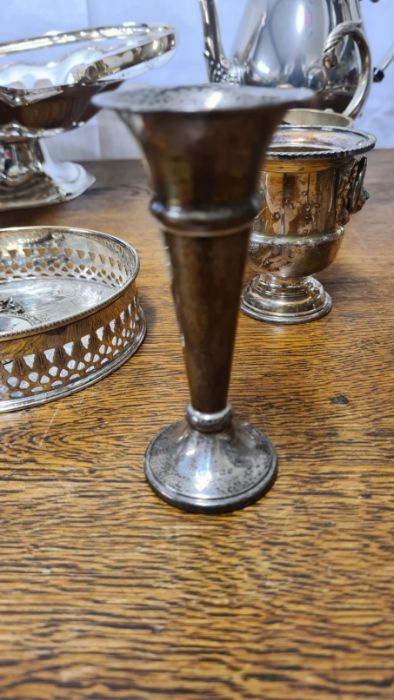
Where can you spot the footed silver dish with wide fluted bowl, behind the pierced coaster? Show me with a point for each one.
(46, 84)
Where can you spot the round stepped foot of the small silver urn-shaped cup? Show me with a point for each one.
(277, 300)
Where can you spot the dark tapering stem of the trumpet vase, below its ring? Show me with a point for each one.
(206, 285)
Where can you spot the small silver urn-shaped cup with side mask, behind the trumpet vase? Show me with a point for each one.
(311, 183)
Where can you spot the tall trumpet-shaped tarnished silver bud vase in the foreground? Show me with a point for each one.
(204, 146)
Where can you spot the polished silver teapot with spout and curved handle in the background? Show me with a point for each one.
(318, 44)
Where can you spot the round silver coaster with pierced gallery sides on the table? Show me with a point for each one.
(69, 311)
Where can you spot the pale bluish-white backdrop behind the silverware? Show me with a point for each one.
(106, 138)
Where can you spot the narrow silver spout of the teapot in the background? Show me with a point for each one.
(218, 67)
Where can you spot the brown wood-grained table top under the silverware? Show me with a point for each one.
(106, 592)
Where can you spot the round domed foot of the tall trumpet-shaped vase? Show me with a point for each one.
(213, 470)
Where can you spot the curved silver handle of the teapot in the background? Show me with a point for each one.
(355, 32)
